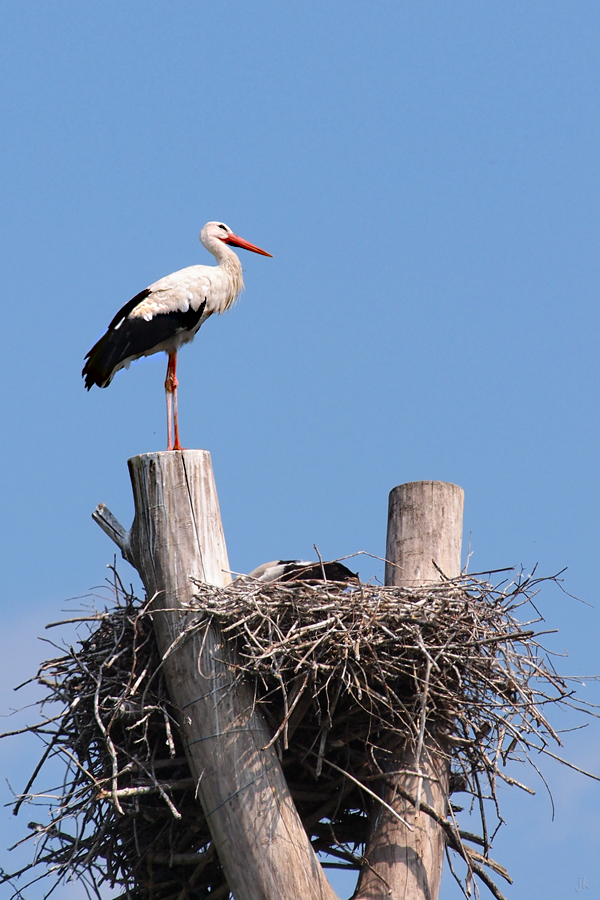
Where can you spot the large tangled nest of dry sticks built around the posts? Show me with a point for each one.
(349, 677)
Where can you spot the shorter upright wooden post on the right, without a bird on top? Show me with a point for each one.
(424, 538)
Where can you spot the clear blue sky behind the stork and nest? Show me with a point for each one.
(426, 176)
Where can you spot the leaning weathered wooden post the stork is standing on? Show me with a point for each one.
(177, 534)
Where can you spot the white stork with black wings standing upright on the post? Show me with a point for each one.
(168, 314)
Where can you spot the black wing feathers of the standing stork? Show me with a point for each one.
(130, 338)
